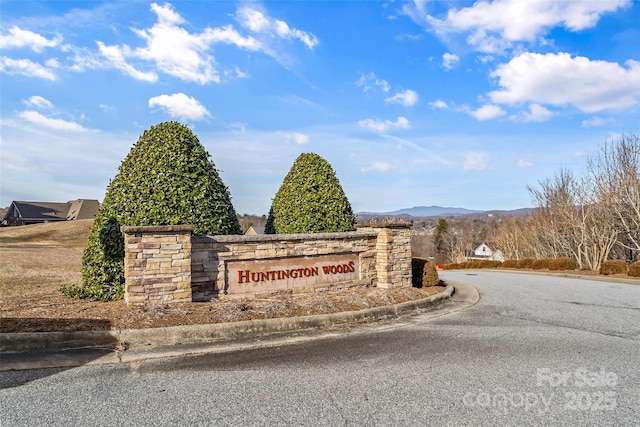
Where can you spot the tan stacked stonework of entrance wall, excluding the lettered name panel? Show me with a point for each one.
(166, 264)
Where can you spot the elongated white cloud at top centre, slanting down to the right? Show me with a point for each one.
(258, 22)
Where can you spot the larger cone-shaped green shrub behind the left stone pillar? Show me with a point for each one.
(166, 179)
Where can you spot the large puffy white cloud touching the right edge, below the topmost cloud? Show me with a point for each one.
(560, 80)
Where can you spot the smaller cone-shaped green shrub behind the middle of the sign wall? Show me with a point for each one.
(310, 200)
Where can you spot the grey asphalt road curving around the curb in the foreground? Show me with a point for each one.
(536, 350)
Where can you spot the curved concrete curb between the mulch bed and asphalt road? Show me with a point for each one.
(133, 340)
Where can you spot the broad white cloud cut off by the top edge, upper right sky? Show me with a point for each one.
(493, 26)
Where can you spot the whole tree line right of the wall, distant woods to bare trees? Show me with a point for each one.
(590, 216)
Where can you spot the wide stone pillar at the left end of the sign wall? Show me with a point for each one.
(157, 264)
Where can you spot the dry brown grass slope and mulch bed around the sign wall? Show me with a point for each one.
(36, 260)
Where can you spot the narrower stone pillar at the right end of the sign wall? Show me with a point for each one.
(393, 255)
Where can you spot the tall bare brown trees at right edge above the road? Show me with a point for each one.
(591, 216)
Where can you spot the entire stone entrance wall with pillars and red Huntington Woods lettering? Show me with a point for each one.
(217, 266)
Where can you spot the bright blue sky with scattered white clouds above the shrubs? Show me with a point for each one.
(413, 103)
